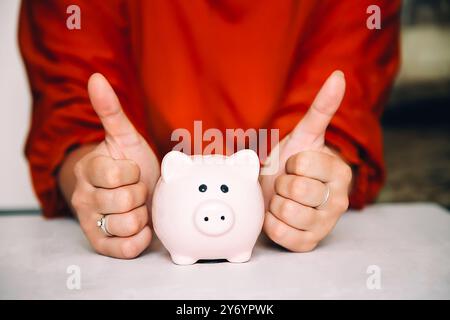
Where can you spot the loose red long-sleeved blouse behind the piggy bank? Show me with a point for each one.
(229, 63)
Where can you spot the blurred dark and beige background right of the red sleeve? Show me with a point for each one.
(417, 119)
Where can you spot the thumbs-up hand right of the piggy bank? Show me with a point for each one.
(309, 193)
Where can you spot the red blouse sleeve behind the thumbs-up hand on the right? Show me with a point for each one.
(339, 39)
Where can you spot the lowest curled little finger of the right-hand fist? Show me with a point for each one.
(287, 236)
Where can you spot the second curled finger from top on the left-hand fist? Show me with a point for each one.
(120, 200)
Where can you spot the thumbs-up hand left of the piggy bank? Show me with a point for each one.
(116, 179)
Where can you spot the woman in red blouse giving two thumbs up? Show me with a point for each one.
(230, 64)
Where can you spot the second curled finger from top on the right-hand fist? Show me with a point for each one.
(306, 191)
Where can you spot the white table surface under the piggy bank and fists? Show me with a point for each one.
(410, 243)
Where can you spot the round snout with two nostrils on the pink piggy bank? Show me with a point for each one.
(214, 218)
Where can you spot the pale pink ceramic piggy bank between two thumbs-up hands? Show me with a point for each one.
(208, 207)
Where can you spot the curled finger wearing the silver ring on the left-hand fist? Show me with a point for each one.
(129, 223)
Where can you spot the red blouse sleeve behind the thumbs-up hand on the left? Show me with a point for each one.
(59, 62)
